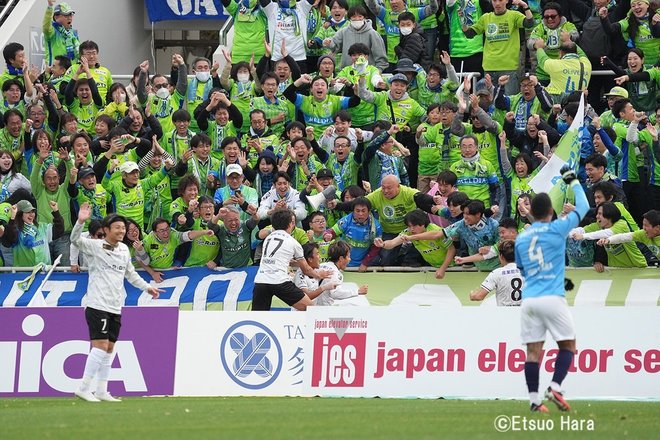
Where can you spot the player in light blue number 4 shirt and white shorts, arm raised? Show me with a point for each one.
(540, 256)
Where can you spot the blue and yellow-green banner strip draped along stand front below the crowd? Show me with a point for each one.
(203, 289)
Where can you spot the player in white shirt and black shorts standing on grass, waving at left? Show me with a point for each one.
(108, 262)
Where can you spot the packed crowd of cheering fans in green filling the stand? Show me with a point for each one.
(358, 117)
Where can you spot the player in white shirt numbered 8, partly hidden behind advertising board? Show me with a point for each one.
(506, 281)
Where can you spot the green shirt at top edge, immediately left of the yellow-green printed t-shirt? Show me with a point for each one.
(464, 12)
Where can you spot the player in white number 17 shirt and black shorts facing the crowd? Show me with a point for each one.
(272, 278)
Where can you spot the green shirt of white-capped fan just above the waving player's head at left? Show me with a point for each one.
(129, 202)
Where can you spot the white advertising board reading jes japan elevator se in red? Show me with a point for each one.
(474, 353)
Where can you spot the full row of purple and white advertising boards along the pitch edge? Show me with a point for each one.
(427, 352)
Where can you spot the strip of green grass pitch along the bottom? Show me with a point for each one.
(317, 418)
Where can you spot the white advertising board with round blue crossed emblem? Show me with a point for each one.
(240, 354)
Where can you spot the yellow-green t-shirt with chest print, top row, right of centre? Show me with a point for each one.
(502, 44)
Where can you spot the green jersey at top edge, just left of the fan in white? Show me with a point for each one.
(249, 30)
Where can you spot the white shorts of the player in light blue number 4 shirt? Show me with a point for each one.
(546, 313)
